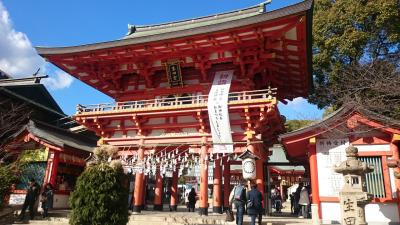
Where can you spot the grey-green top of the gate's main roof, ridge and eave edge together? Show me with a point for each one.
(202, 25)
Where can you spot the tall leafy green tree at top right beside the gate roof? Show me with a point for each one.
(347, 34)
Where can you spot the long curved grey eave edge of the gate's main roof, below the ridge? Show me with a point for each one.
(301, 7)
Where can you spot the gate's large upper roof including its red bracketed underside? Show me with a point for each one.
(275, 45)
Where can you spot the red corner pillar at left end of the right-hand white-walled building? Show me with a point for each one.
(312, 150)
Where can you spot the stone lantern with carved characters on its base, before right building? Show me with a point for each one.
(353, 197)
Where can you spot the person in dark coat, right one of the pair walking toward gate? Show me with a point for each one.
(254, 202)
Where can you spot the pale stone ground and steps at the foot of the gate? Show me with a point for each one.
(60, 217)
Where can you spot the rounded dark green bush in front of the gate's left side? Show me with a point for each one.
(100, 196)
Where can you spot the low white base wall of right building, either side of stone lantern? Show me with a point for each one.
(375, 213)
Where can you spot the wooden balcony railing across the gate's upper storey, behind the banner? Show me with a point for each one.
(195, 100)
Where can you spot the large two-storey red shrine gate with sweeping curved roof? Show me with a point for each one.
(160, 77)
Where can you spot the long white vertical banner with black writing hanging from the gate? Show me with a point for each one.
(218, 112)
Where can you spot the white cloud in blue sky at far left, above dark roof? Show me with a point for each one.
(19, 59)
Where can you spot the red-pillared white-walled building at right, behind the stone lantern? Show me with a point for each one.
(321, 146)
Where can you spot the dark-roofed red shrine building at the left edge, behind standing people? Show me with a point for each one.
(46, 148)
